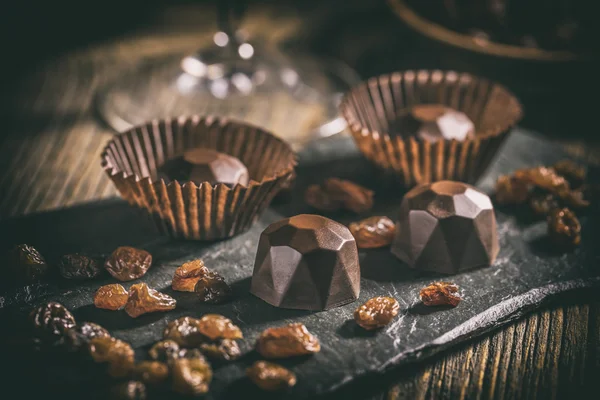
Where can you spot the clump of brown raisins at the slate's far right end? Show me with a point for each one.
(550, 192)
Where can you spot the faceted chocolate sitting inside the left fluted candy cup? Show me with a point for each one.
(205, 165)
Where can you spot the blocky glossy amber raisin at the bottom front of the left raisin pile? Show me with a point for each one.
(191, 376)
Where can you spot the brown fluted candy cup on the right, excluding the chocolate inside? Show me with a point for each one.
(370, 107)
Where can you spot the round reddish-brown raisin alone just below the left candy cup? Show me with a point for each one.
(128, 263)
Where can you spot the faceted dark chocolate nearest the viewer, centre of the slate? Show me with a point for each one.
(306, 262)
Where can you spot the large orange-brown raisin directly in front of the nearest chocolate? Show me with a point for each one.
(287, 341)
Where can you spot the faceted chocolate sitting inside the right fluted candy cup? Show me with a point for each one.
(433, 122)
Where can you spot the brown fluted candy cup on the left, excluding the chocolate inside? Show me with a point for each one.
(186, 210)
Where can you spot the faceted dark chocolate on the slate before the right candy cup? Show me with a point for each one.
(446, 227)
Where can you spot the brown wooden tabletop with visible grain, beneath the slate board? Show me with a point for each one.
(49, 158)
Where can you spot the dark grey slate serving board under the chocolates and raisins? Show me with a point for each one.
(526, 273)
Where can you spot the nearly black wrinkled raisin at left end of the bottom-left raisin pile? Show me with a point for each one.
(51, 322)
